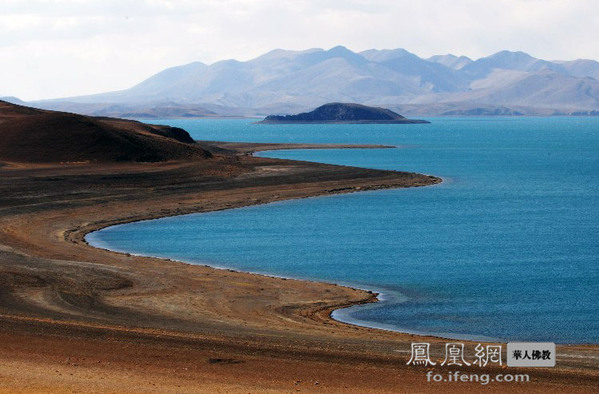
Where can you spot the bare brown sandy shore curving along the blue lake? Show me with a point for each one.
(77, 318)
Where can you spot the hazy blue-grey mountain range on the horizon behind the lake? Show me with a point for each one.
(286, 82)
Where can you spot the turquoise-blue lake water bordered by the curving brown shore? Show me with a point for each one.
(506, 248)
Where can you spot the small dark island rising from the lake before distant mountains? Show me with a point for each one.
(343, 113)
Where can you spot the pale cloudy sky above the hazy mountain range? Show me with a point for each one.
(62, 48)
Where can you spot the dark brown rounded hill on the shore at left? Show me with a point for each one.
(39, 136)
